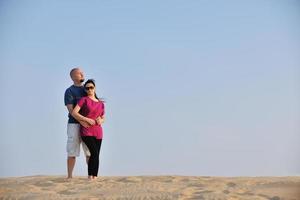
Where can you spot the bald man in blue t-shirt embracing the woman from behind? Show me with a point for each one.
(72, 96)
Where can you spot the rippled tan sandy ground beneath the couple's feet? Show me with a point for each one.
(151, 187)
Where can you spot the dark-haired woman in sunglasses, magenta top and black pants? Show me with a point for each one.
(91, 110)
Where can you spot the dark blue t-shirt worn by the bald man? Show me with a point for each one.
(72, 96)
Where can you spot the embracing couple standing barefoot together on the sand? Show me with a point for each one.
(86, 115)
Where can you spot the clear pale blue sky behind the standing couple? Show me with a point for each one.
(192, 87)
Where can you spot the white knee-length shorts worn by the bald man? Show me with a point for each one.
(74, 140)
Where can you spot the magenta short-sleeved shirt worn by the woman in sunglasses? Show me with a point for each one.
(91, 109)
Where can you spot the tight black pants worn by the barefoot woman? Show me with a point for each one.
(94, 146)
